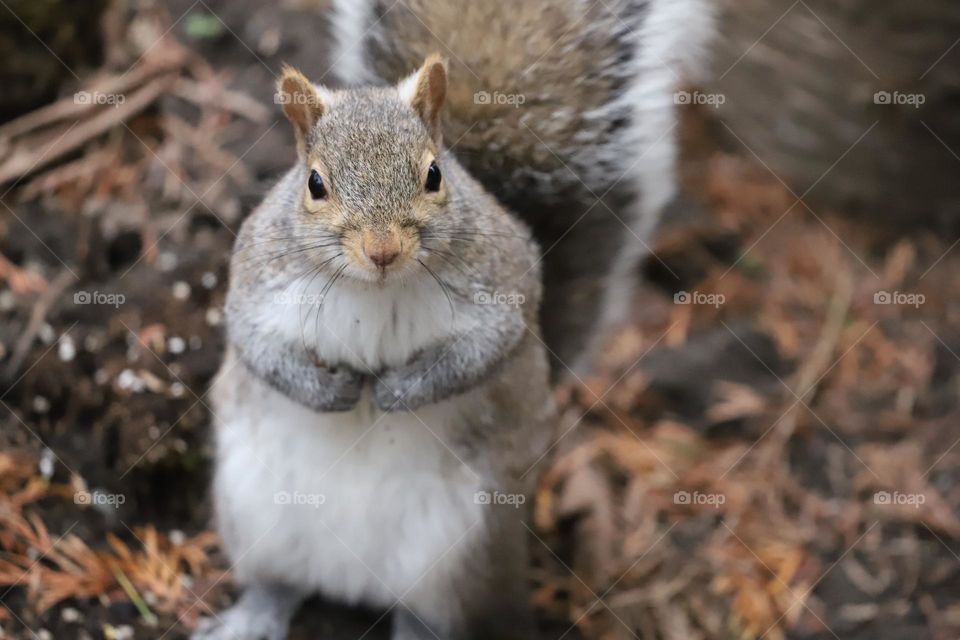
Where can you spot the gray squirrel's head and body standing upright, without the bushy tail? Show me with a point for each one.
(385, 394)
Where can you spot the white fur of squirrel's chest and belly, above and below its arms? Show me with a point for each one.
(359, 504)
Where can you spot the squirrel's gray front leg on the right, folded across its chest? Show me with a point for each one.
(453, 365)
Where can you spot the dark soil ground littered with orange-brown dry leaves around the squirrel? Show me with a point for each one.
(775, 460)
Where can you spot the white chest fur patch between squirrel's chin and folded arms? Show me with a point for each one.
(365, 326)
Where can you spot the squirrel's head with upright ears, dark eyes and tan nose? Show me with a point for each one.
(370, 170)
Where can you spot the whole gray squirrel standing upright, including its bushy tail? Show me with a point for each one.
(385, 398)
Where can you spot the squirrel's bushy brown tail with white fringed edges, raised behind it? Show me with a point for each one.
(563, 109)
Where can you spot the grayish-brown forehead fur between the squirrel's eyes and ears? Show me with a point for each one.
(371, 145)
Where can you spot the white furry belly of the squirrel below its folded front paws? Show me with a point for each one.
(361, 506)
